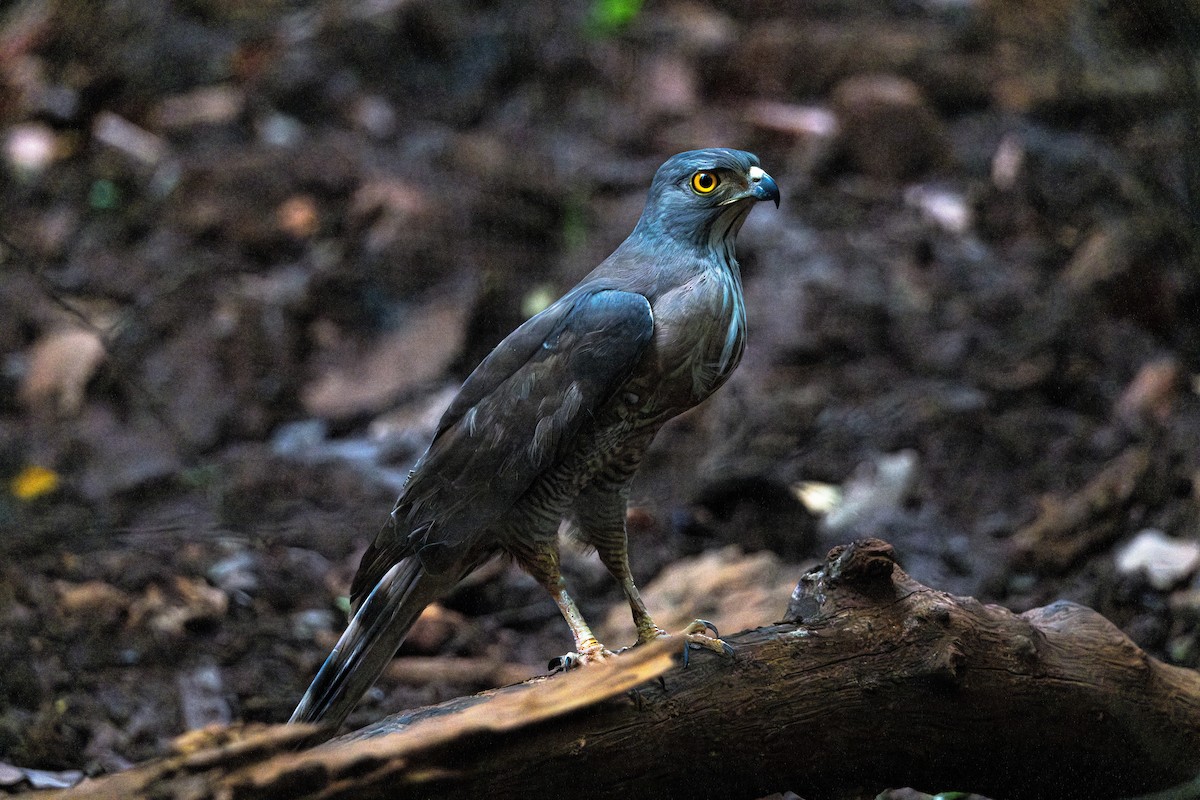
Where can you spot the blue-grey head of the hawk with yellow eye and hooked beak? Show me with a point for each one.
(703, 197)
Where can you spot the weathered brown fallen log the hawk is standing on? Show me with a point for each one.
(873, 682)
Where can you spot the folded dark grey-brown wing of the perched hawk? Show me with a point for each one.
(515, 417)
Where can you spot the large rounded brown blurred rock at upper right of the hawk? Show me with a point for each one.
(889, 130)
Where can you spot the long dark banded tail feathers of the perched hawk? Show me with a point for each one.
(370, 641)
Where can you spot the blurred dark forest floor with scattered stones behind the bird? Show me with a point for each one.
(250, 248)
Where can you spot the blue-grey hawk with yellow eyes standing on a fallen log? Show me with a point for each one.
(555, 422)
